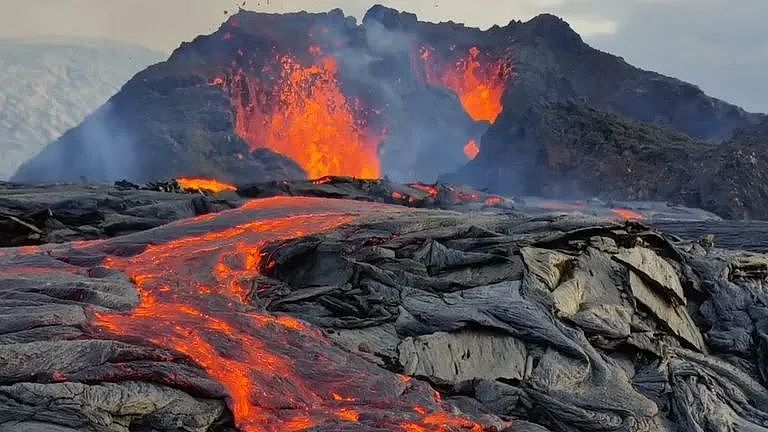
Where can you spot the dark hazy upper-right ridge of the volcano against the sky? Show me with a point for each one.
(552, 63)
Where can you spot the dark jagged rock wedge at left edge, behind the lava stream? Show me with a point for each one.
(57, 213)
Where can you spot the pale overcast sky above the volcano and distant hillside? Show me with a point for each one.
(720, 45)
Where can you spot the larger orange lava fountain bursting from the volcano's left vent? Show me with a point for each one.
(307, 118)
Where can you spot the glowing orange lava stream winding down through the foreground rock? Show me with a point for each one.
(280, 373)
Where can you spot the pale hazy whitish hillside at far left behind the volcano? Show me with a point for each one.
(49, 86)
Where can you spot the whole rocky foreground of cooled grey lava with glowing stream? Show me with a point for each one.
(302, 313)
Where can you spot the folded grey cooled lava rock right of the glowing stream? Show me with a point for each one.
(595, 335)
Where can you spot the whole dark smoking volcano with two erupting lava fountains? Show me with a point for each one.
(295, 96)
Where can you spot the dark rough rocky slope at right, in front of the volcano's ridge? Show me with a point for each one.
(573, 150)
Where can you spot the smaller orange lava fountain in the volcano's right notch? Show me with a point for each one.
(479, 83)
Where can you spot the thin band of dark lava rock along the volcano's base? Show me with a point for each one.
(58, 213)
